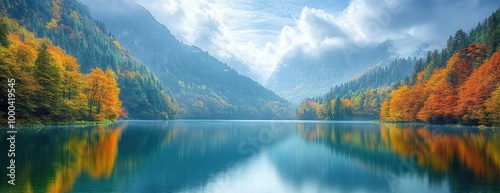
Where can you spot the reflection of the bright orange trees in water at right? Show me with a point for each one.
(470, 157)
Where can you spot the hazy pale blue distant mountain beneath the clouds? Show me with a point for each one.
(299, 75)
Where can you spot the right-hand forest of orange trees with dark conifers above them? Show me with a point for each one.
(458, 85)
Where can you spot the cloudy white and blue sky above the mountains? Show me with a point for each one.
(257, 34)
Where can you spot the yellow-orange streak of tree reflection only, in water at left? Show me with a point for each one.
(93, 153)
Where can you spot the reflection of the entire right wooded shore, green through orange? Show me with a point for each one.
(470, 160)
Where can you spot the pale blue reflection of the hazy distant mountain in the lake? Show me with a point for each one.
(301, 163)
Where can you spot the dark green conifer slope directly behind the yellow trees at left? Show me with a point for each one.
(68, 24)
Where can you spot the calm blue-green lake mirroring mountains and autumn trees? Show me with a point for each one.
(254, 156)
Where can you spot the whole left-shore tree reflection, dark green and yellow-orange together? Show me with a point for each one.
(52, 159)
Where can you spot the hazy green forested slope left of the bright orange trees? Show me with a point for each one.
(360, 98)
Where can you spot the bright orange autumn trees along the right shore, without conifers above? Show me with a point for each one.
(457, 92)
